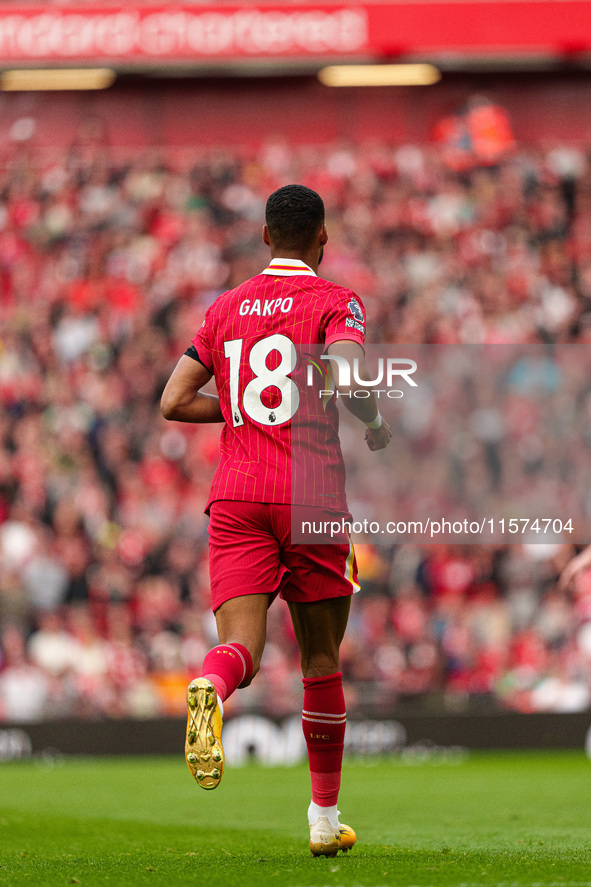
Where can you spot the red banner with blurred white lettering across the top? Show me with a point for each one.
(178, 34)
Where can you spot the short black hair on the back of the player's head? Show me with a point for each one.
(293, 216)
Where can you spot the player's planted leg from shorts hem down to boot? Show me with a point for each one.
(319, 628)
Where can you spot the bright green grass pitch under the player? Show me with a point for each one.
(494, 819)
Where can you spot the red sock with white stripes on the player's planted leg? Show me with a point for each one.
(323, 720)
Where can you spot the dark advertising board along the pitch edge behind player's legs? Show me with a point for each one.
(255, 736)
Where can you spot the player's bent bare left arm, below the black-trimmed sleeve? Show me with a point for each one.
(183, 401)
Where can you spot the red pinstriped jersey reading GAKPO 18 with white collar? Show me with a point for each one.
(280, 441)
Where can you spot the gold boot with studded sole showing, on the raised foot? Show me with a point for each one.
(203, 747)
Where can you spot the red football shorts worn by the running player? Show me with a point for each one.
(250, 552)
